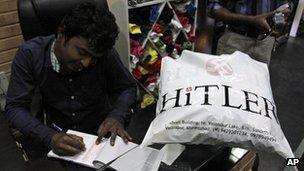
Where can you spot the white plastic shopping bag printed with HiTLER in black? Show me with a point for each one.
(207, 99)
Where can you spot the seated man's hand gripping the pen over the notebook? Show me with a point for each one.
(67, 144)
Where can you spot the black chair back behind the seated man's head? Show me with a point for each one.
(42, 17)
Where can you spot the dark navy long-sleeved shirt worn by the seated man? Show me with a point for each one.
(80, 101)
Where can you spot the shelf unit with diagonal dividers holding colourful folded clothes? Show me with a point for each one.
(165, 36)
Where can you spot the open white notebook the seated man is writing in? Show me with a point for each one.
(97, 156)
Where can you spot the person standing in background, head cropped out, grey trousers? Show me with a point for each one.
(249, 25)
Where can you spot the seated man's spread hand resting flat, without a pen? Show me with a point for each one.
(113, 126)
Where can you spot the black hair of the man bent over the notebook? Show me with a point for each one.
(96, 25)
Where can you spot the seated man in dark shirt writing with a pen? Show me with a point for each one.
(77, 72)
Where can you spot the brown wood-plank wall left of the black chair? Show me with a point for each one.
(10, 34)
